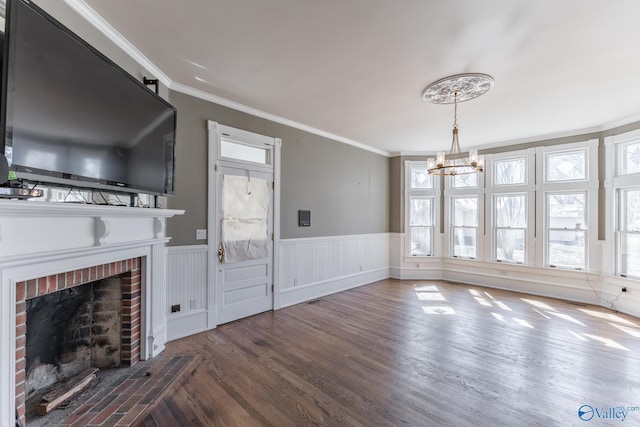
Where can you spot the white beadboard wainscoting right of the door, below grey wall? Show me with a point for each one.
(314, 267)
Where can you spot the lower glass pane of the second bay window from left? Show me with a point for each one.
(464, 214)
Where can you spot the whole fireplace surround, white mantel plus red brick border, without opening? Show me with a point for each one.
(46, 247)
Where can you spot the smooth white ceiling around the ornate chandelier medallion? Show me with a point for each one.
(355, 69)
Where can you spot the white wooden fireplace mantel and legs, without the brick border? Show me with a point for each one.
(40, 239)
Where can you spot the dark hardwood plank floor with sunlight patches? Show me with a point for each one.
(412, 353)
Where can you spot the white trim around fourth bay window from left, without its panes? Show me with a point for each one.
(589, 186)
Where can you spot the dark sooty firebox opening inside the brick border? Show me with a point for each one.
(72, 330)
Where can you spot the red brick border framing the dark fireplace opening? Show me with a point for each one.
(131, 273)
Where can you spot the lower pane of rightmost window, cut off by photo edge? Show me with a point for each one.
(629, 230)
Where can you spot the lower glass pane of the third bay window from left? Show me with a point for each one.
(510, 212)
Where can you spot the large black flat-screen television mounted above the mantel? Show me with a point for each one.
(72, 117)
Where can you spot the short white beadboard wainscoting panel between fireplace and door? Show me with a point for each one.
(187, 282)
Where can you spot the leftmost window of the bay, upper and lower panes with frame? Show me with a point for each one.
(421, 202)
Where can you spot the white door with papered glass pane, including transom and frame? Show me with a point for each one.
(244, 224)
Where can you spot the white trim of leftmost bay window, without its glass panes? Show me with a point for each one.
(435, 193)
